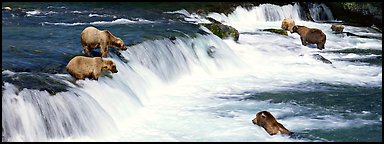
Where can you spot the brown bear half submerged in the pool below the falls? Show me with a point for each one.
(266, 120)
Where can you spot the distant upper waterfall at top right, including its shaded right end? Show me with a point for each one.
(270, 16)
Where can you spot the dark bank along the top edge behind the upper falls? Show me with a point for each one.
(364, 13)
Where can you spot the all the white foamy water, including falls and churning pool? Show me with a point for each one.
(174, 91)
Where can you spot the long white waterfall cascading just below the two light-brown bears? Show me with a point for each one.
(98, 108)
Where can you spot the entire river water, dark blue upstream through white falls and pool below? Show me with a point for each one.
(173, 89)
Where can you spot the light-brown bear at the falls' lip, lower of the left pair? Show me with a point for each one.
(81, 67)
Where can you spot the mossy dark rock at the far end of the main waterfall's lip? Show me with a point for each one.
(221, 30)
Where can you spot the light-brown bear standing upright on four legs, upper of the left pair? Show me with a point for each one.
(92, 38)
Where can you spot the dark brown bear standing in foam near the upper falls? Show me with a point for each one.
(310, 36)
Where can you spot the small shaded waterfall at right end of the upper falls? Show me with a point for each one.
(320, 12)
